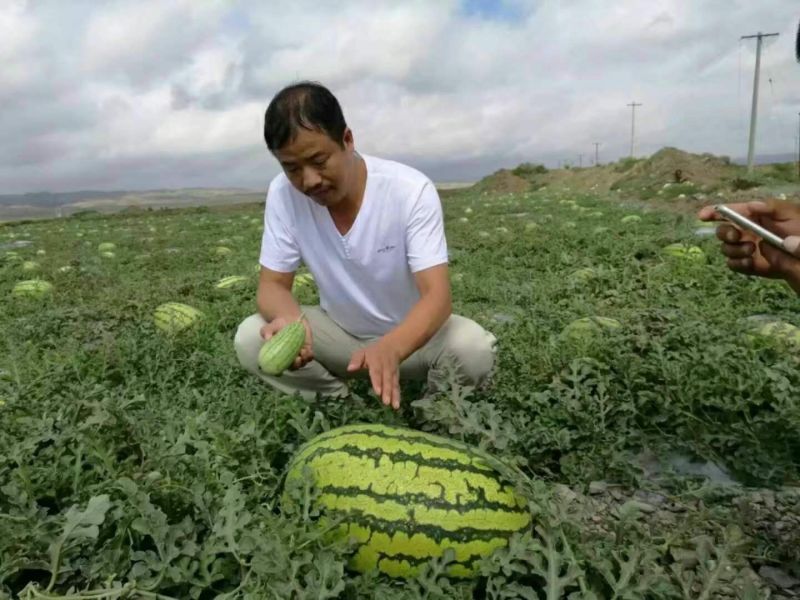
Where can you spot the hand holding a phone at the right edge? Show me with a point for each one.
(750, 255)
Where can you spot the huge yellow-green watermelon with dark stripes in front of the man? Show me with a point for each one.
(406, 496)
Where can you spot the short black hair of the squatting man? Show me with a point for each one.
(306, 104)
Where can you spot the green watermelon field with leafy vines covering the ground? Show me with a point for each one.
(645, 408)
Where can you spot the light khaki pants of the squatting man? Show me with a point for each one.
(460, 345)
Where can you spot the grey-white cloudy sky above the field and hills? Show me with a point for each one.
(144, 94)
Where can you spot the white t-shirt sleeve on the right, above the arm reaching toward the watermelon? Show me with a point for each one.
(426, 244)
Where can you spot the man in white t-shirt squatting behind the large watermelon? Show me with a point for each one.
(371, 232)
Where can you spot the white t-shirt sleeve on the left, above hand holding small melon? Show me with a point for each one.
(279, 248)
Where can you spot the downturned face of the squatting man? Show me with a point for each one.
(317, 166)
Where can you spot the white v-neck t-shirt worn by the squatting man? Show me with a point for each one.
(365, 277)
